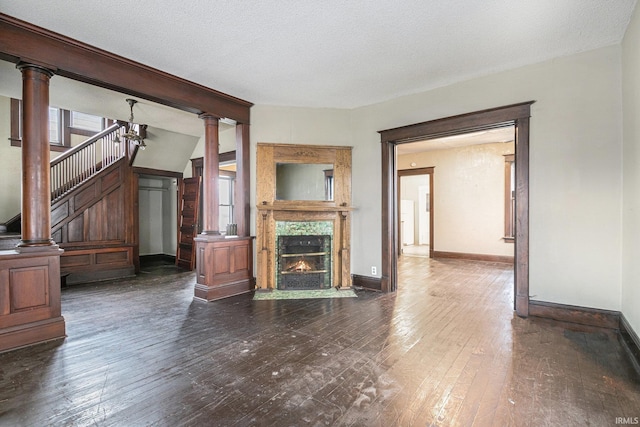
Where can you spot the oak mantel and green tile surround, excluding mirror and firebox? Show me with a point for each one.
(299, 217)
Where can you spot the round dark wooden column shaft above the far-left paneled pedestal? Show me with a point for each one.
(36, 189)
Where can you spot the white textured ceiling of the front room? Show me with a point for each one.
(332, 53)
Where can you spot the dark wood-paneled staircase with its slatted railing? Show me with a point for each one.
(92, 204)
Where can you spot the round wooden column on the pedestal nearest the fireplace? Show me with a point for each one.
(211, 170)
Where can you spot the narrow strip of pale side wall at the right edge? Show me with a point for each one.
(631, 161)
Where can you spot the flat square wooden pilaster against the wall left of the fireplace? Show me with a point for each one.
(243, 175)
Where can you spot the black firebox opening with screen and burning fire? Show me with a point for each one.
(304, 262)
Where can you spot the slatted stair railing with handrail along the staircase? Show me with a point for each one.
(83, 161)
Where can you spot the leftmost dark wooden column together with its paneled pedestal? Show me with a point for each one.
(30, 308)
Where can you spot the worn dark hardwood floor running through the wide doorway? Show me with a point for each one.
(445, 350)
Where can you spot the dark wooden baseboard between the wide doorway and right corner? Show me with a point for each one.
(575, 314)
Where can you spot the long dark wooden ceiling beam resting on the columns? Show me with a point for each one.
(20, 40)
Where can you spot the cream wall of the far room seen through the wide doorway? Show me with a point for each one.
(468, 191)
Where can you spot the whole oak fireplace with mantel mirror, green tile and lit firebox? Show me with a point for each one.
(303, 236)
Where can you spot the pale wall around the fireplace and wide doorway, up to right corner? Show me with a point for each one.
(576, 162)
